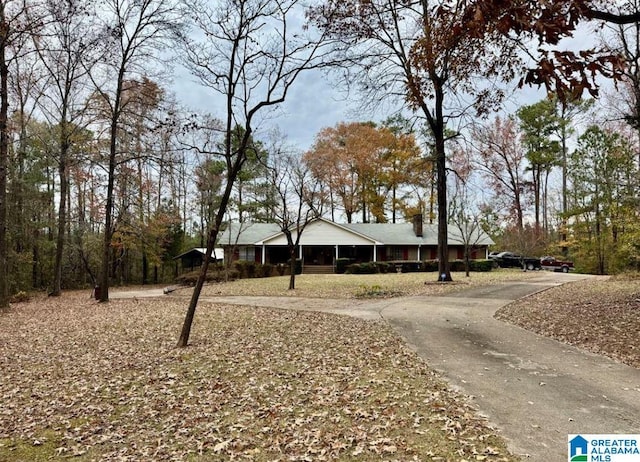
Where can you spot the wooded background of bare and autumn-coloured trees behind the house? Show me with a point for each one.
(105, 177)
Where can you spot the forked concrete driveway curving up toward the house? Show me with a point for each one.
(534, 390)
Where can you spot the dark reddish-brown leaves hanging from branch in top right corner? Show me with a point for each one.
(540, 27)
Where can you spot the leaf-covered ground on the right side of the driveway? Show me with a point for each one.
(602, 316)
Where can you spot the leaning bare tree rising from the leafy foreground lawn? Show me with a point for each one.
(250, 53)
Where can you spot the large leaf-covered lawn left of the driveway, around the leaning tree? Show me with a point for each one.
(91, 381)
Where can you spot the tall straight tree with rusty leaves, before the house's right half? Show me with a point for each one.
(414, 52)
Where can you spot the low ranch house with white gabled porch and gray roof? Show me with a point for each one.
(323, 241)
